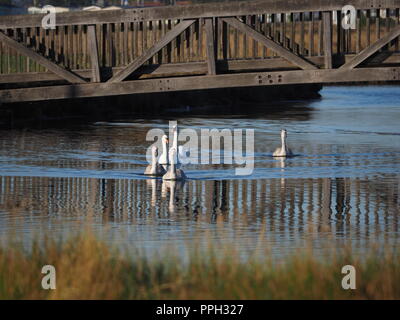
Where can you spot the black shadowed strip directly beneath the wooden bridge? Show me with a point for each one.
(230, 103)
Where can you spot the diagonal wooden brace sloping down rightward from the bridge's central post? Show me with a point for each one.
(269, 43)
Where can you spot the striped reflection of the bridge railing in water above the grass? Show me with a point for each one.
(283, 211)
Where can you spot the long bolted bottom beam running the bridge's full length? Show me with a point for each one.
(200, 83)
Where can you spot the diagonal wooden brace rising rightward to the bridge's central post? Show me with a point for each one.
(171, 35)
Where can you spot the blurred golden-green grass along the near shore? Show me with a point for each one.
(87, 268)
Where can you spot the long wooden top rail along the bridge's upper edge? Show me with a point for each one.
(220, 9)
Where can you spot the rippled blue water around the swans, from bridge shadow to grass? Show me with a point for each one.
(343, 188)
